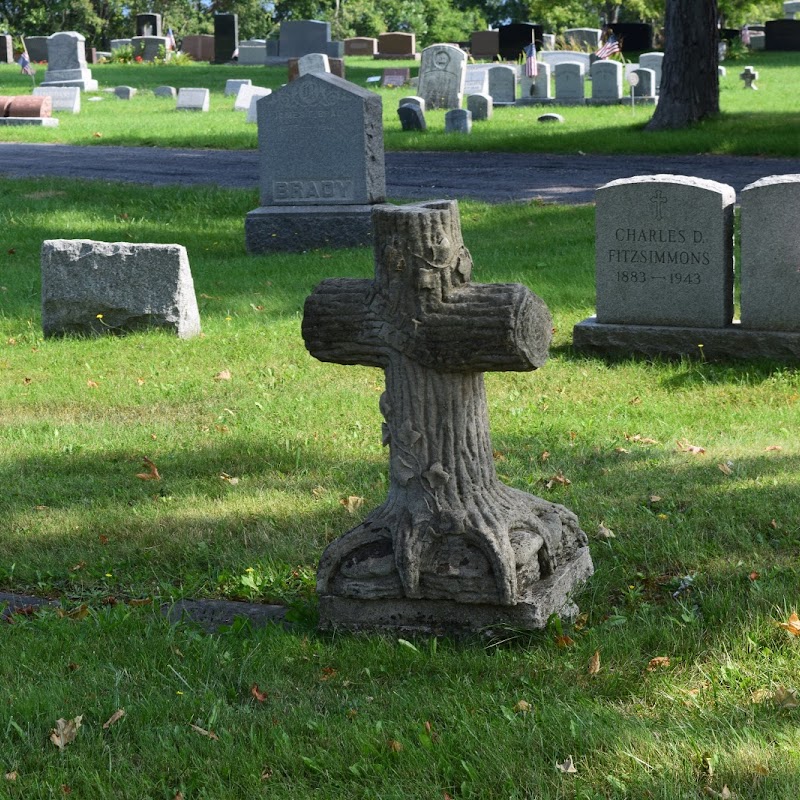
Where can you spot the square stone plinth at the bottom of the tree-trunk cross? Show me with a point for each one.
(448, 618)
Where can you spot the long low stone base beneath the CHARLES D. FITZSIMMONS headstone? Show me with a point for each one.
(709, 344)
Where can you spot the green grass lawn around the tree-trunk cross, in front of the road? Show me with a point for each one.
(702, 566)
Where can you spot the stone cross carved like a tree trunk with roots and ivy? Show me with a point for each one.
(452, 548)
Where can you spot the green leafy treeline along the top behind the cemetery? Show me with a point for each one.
(431, 20)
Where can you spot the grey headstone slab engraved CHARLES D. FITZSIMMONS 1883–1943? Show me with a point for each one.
(664, 251)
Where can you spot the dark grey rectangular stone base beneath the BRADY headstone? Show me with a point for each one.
(293, 229)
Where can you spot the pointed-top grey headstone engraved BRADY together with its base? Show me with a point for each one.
(321, 166)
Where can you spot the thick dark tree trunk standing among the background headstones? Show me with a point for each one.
(689, 78)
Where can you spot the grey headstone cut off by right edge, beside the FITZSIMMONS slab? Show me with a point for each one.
(770, 254)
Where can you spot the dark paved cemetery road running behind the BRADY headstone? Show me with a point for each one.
(494, 177)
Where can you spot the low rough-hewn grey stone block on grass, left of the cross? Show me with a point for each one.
(101, 288)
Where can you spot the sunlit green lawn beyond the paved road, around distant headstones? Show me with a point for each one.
(752, 123)
